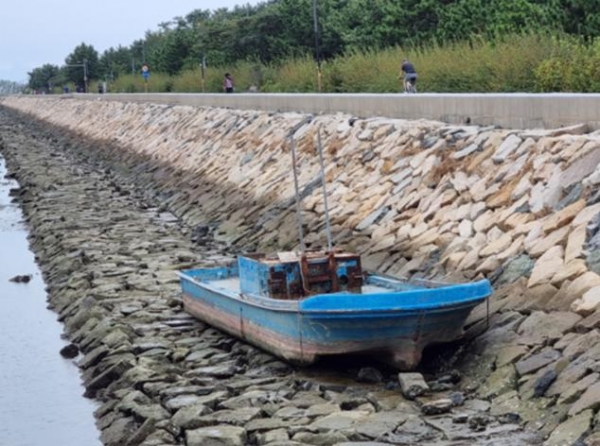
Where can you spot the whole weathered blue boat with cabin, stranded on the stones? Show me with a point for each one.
(304, 306)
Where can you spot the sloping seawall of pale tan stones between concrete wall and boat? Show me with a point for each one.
(428, 198)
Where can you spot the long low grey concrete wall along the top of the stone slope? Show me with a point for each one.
(518, 110)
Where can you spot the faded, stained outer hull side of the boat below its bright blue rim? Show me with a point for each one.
(298, 333)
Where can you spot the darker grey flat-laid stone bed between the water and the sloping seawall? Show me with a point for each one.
(108, 251)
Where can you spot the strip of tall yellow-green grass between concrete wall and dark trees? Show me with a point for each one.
(512, 63)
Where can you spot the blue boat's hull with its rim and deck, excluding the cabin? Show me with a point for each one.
(394, 322)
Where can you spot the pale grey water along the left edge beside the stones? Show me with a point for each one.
(41, 401)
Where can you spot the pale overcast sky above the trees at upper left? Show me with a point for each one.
(37, 32)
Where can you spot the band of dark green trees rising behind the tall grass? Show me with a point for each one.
(275, 30)
